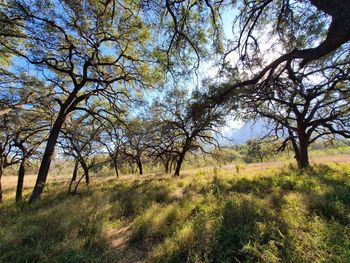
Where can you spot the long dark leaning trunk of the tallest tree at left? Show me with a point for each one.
(46, 160)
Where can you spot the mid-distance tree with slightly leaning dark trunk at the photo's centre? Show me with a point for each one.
(189, 123)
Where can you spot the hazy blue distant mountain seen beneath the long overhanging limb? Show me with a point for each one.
(249, 130)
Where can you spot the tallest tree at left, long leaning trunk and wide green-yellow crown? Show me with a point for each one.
(84, 49)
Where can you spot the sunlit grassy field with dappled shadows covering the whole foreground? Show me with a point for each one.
(263, 213)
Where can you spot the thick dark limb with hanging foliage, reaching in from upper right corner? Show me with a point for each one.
(307, 31)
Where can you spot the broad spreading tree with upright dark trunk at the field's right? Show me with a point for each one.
(314, 105)
